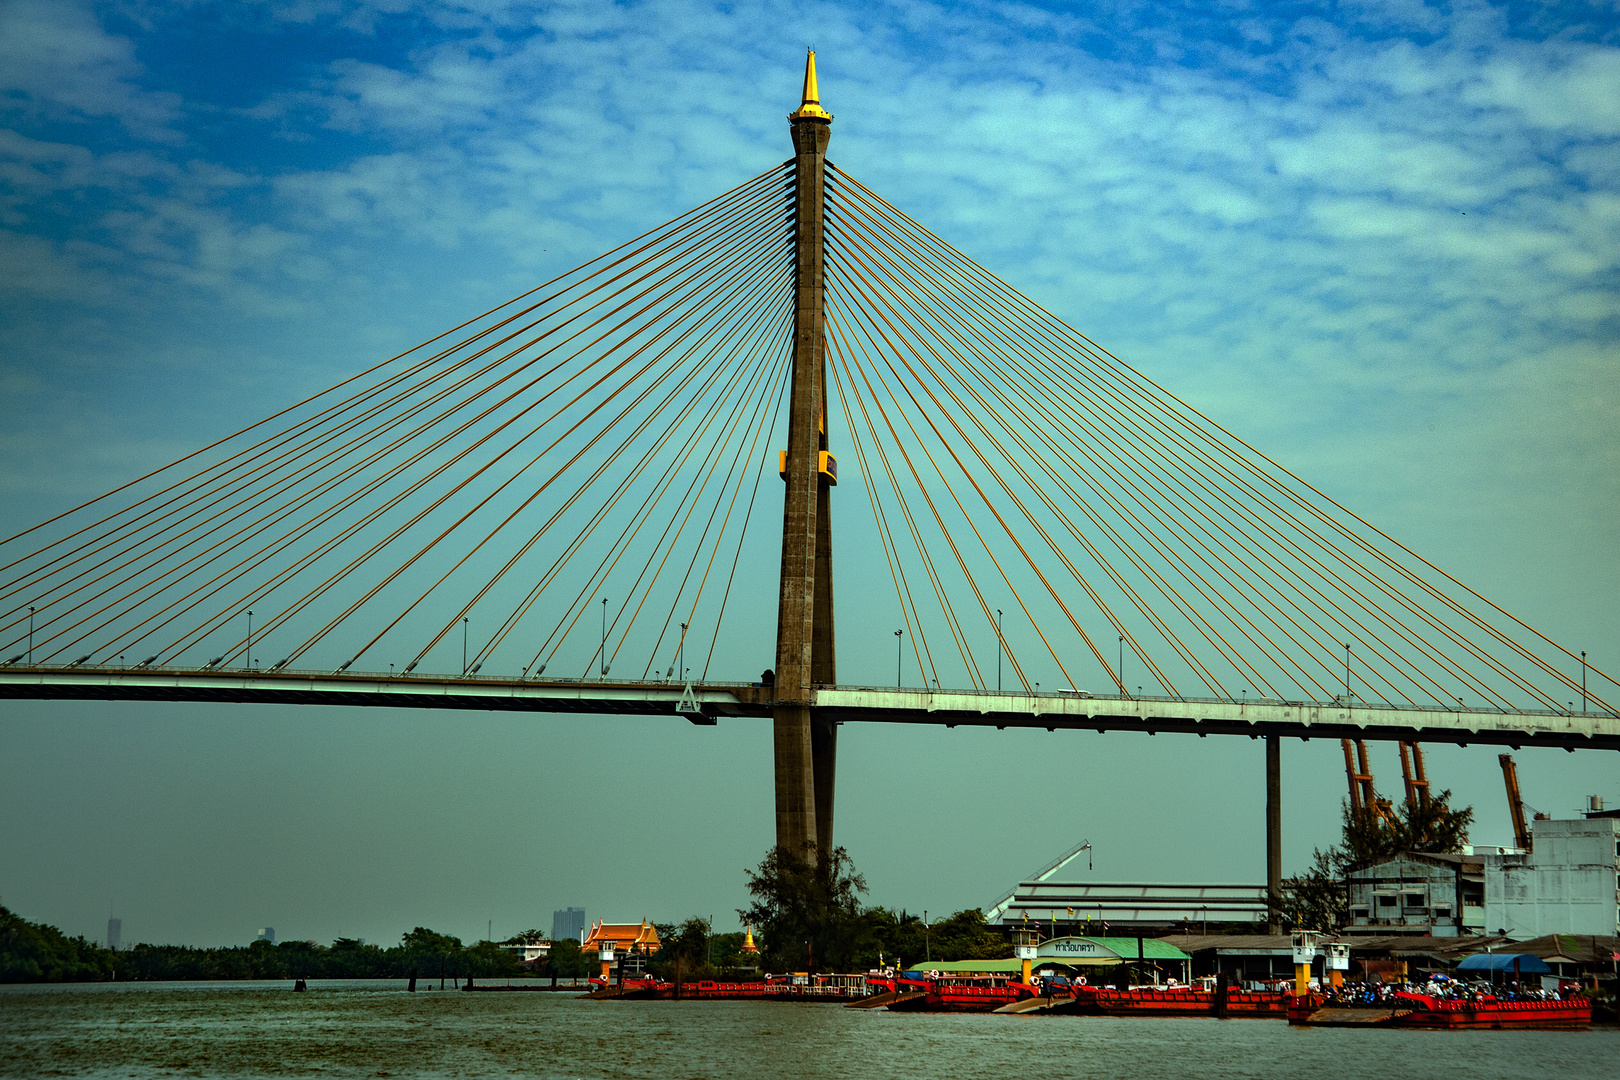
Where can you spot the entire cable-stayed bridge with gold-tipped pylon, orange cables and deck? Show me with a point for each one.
(571, 504)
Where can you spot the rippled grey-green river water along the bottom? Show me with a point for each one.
(338, 1029)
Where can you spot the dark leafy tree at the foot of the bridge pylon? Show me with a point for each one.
(809, 912)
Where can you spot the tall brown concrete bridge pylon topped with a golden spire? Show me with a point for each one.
(806, 749)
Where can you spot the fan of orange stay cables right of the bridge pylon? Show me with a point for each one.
(1041, 501)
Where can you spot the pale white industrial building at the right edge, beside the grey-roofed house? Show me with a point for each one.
(1567, 883)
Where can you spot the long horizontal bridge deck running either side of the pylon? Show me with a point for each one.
(714, 700)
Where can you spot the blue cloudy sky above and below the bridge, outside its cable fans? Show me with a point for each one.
(1379, 240)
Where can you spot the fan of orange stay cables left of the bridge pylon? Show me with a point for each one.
(592, 448)
